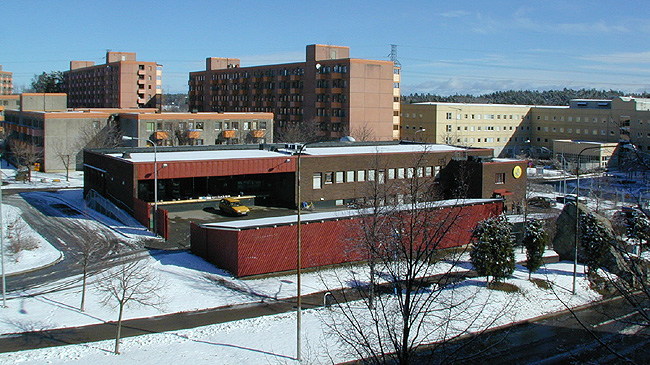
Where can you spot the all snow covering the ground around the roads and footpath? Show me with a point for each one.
(193, 284)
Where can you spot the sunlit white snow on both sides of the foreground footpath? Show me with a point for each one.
(269, 339)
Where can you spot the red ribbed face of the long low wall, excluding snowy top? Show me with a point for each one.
(274, 249)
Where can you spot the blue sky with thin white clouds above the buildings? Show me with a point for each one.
(445, 47)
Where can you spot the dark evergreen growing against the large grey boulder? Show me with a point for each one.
(595, 239)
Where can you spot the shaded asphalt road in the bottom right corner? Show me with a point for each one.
(614, 336)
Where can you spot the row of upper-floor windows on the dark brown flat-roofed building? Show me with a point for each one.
(339, 177)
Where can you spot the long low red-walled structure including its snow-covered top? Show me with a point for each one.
(267, 245)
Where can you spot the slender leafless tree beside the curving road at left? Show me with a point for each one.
(93, 246)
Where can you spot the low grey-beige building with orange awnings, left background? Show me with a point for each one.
(58, 135)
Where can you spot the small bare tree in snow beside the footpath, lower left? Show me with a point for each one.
(129, 282)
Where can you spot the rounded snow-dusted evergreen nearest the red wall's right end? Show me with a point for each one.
(493, 252)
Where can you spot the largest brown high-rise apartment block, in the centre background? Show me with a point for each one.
(341, 95)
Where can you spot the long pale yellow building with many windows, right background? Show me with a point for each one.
(513, 129)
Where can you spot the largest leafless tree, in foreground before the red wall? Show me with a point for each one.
(399, 303)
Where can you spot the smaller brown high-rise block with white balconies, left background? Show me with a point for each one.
(122, 82)
